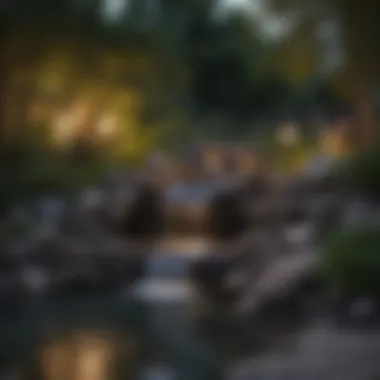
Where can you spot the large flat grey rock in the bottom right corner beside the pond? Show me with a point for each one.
(319, 353)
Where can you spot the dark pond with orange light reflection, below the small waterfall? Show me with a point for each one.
(121, 335)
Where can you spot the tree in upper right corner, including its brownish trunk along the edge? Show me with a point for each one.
(358, 23)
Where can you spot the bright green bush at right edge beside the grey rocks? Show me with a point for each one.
(351, 260)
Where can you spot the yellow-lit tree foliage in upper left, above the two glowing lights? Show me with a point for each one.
(64, 50)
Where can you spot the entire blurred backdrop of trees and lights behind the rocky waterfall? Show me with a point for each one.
(120, 78)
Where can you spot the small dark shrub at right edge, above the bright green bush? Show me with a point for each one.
(361, 171)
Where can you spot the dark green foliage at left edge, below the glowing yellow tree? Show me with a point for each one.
(28, 174)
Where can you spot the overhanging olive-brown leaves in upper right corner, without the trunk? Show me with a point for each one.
(358, 24)
